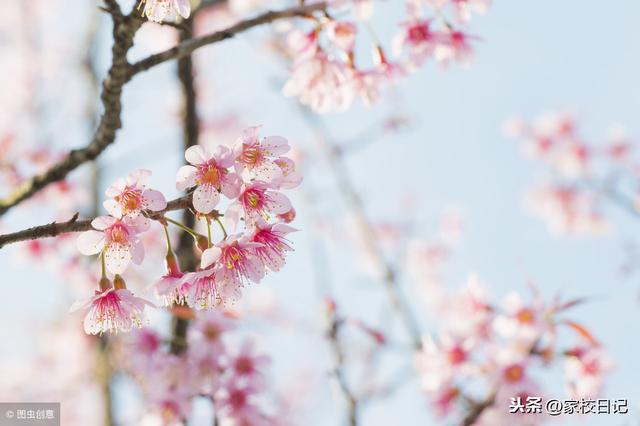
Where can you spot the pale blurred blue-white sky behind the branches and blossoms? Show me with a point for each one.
(433, 147)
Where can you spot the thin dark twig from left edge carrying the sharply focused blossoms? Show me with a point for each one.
(74, 225)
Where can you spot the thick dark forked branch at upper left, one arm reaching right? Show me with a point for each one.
(119, 74)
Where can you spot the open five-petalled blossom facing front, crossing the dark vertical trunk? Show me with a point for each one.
(209, 173)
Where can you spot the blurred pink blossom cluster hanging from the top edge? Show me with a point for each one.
(329, 71)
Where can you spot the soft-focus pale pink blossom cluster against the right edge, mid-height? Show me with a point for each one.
(582, 175)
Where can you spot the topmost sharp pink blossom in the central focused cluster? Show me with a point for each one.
(260, 156)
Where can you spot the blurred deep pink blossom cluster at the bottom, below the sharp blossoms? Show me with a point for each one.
(212, 367)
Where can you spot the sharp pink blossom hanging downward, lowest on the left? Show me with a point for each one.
(112, 310)
